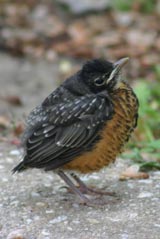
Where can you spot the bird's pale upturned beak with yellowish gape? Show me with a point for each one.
(118, 65)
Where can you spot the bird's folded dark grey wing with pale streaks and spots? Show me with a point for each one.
(71, 128)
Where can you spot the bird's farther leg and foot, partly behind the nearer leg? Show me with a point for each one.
(86, 190)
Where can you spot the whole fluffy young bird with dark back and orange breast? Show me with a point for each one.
(82, 126)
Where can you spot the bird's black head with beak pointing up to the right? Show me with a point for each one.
(101, 75)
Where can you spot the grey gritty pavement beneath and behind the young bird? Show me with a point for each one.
(35, 205)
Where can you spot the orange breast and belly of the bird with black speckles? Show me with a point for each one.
(113, 136)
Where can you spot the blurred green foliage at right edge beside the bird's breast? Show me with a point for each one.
(144, 148)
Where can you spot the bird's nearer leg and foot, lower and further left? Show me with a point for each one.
(84, 199)
